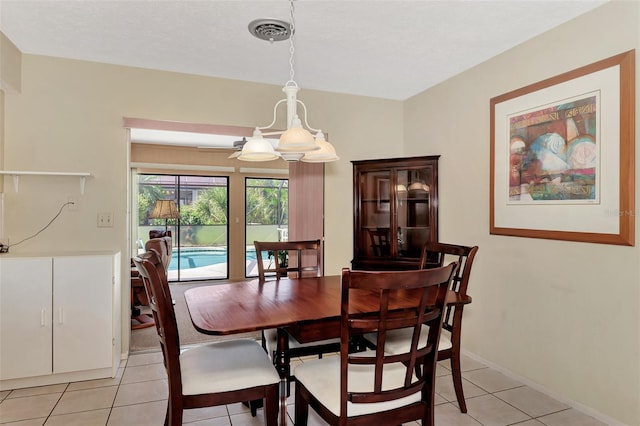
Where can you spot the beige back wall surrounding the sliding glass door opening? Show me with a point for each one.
(69, 118)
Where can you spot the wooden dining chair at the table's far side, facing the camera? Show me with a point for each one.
(304, 258)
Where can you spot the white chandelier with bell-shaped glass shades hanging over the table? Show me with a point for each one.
(297, 143)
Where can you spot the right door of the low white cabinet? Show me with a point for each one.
(82, 313)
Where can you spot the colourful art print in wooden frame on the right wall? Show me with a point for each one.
(562, 156)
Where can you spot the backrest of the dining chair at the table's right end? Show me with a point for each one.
(435, 254)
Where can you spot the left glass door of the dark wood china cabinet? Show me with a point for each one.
(376, 197)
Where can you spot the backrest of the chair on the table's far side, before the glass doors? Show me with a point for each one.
(304, 258)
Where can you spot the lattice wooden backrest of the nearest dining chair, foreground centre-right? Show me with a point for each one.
(422, 296)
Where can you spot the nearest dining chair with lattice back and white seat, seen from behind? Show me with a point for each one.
(373, 387)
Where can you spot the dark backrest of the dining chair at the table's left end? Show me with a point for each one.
(156, 285)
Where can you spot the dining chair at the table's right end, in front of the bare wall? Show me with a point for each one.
(435, 254)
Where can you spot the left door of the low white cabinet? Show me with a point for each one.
(25, 317)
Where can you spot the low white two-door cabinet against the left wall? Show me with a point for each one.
(57, 319)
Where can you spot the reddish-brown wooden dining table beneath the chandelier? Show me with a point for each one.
(308, 308)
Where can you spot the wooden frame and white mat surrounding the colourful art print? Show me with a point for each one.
(614, 220)
